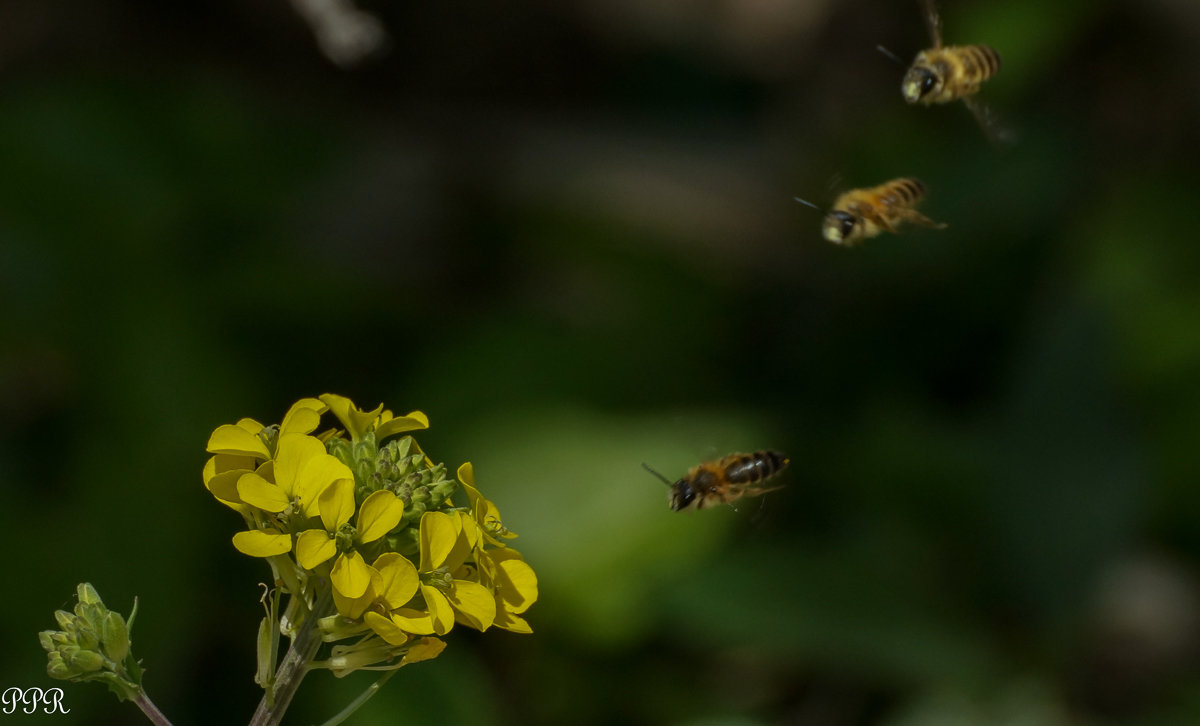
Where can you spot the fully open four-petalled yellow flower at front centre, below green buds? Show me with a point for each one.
(379, 515)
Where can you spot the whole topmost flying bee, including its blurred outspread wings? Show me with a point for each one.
(947, 74)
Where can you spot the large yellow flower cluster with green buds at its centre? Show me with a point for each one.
(373, 520)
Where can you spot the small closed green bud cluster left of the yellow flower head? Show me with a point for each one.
(93, 645)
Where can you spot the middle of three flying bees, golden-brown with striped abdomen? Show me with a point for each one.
(861, 214)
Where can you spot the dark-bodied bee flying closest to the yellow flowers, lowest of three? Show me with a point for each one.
(724, 481)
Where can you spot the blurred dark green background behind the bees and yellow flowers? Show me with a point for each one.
(566, 231)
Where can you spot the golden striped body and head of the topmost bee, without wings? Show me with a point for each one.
(943, 75)
